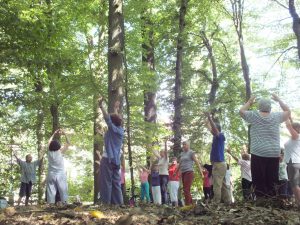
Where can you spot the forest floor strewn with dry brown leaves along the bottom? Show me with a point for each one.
(239, 213)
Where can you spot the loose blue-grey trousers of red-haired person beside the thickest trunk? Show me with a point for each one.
(110, 187)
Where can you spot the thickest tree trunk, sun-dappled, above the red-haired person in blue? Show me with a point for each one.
(115, 54)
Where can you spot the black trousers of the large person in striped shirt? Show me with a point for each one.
(264, 175)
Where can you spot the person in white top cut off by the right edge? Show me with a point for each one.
(292, 158)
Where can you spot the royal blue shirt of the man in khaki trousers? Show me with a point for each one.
(217, 148)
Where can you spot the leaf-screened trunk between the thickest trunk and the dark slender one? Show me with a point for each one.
(150, 109)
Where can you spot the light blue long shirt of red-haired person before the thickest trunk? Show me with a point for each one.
(113, 140)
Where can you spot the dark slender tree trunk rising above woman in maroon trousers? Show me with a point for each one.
(177, 123)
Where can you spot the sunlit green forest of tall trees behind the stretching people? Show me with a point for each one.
(166, 62)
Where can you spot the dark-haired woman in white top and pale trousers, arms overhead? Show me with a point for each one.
(56, 178)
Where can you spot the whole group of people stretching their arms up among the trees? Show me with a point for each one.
(260, 172)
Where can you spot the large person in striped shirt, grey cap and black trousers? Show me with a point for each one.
(264, 143)
